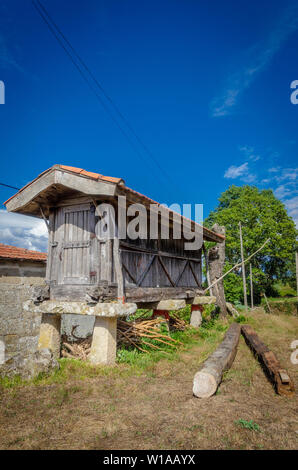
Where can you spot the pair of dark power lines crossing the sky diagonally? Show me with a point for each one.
(38, 6)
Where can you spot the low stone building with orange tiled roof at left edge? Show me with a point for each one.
(20, 271)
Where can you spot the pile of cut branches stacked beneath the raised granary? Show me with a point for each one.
(140, 332)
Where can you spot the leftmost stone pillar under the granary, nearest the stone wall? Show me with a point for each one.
(50, 333)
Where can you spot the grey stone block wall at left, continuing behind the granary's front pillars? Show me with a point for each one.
(19, 330)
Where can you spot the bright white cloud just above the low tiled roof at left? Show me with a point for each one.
(23, 231)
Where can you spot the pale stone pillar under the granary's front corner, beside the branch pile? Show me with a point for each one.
(104, 341)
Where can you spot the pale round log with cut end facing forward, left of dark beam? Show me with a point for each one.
(209, 376)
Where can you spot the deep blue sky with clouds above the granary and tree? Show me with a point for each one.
(205, 85)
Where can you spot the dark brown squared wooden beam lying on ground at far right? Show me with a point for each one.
(283, 384)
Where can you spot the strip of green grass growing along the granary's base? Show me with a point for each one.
(131, 360)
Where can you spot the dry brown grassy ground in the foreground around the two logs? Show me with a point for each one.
(155, 409)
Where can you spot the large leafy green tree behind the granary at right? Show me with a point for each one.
(262, 216)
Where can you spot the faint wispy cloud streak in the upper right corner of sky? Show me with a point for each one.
(261, 55)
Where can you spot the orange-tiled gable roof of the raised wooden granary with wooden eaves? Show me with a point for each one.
(62, 180)
